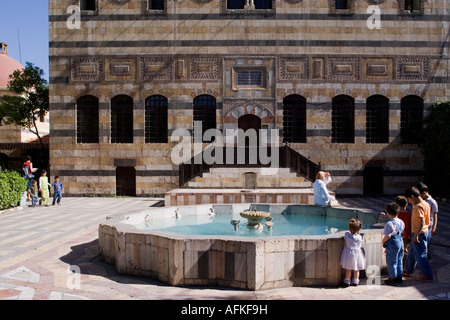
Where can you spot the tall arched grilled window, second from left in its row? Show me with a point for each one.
(122, 119)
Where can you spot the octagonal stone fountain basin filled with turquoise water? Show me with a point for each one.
(213, 245)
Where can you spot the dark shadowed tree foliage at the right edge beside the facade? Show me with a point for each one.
(436, 149)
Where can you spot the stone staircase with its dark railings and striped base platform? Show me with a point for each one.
(289, 183)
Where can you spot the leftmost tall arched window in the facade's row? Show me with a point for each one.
(87, 119)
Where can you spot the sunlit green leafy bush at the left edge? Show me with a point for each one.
(12, 187)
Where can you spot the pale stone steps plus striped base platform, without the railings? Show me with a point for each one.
(243, 185)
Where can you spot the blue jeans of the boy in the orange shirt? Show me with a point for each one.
(417, 254)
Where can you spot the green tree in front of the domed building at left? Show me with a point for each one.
(29, 100)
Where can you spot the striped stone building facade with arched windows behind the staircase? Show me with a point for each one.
(344, 84)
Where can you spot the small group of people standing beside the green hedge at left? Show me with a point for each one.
(44, 187)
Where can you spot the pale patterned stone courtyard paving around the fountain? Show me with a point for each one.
(51, 253)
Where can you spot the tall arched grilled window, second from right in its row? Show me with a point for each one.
(377, 119)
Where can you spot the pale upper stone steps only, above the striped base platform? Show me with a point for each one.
(249, 178)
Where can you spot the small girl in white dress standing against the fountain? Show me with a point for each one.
(352, 257)
